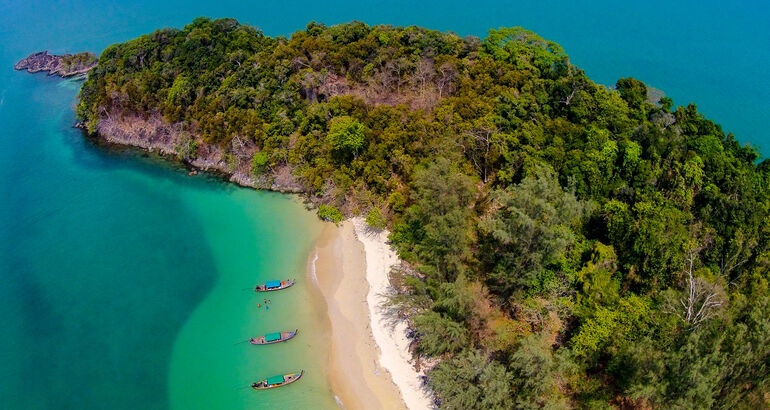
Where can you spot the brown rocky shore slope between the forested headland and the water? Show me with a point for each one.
(154, 133)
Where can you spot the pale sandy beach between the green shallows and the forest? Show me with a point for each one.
(370, 365)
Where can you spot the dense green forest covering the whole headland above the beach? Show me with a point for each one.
(566, 244)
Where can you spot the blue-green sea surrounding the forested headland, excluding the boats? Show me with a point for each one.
(122, 279)
